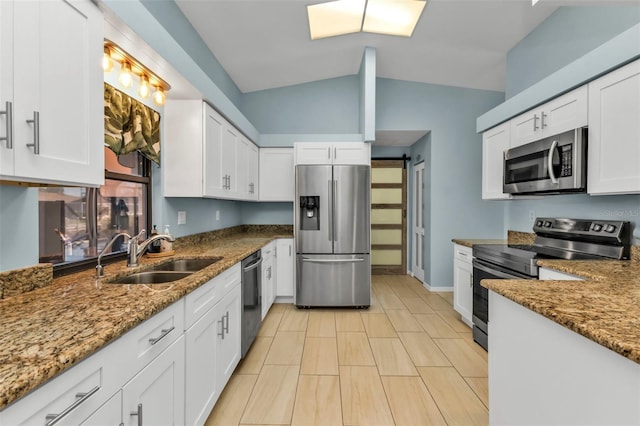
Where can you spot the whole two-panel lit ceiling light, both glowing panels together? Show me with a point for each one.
(390, 17)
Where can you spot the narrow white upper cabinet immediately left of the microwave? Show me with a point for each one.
(494, 142)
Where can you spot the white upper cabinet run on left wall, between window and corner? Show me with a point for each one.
(205, 156)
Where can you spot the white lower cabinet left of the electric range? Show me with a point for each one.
(463, 282)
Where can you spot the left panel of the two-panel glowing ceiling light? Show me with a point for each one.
(335, 18)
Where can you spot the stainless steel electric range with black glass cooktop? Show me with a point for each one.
(574, 239)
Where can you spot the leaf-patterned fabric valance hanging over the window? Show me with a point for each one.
(130, 125)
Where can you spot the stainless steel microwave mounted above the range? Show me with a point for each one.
(551, 165)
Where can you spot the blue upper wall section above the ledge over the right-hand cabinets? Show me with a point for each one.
(566, 35)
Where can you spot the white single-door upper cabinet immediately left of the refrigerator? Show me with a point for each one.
(276, 174)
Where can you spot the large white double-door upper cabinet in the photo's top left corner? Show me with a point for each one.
(51, 89)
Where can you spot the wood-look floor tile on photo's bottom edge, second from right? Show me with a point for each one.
(411, 404)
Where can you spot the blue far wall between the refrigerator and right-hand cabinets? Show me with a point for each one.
(454, 175)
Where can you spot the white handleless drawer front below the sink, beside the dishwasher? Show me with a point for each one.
(199, 301)
